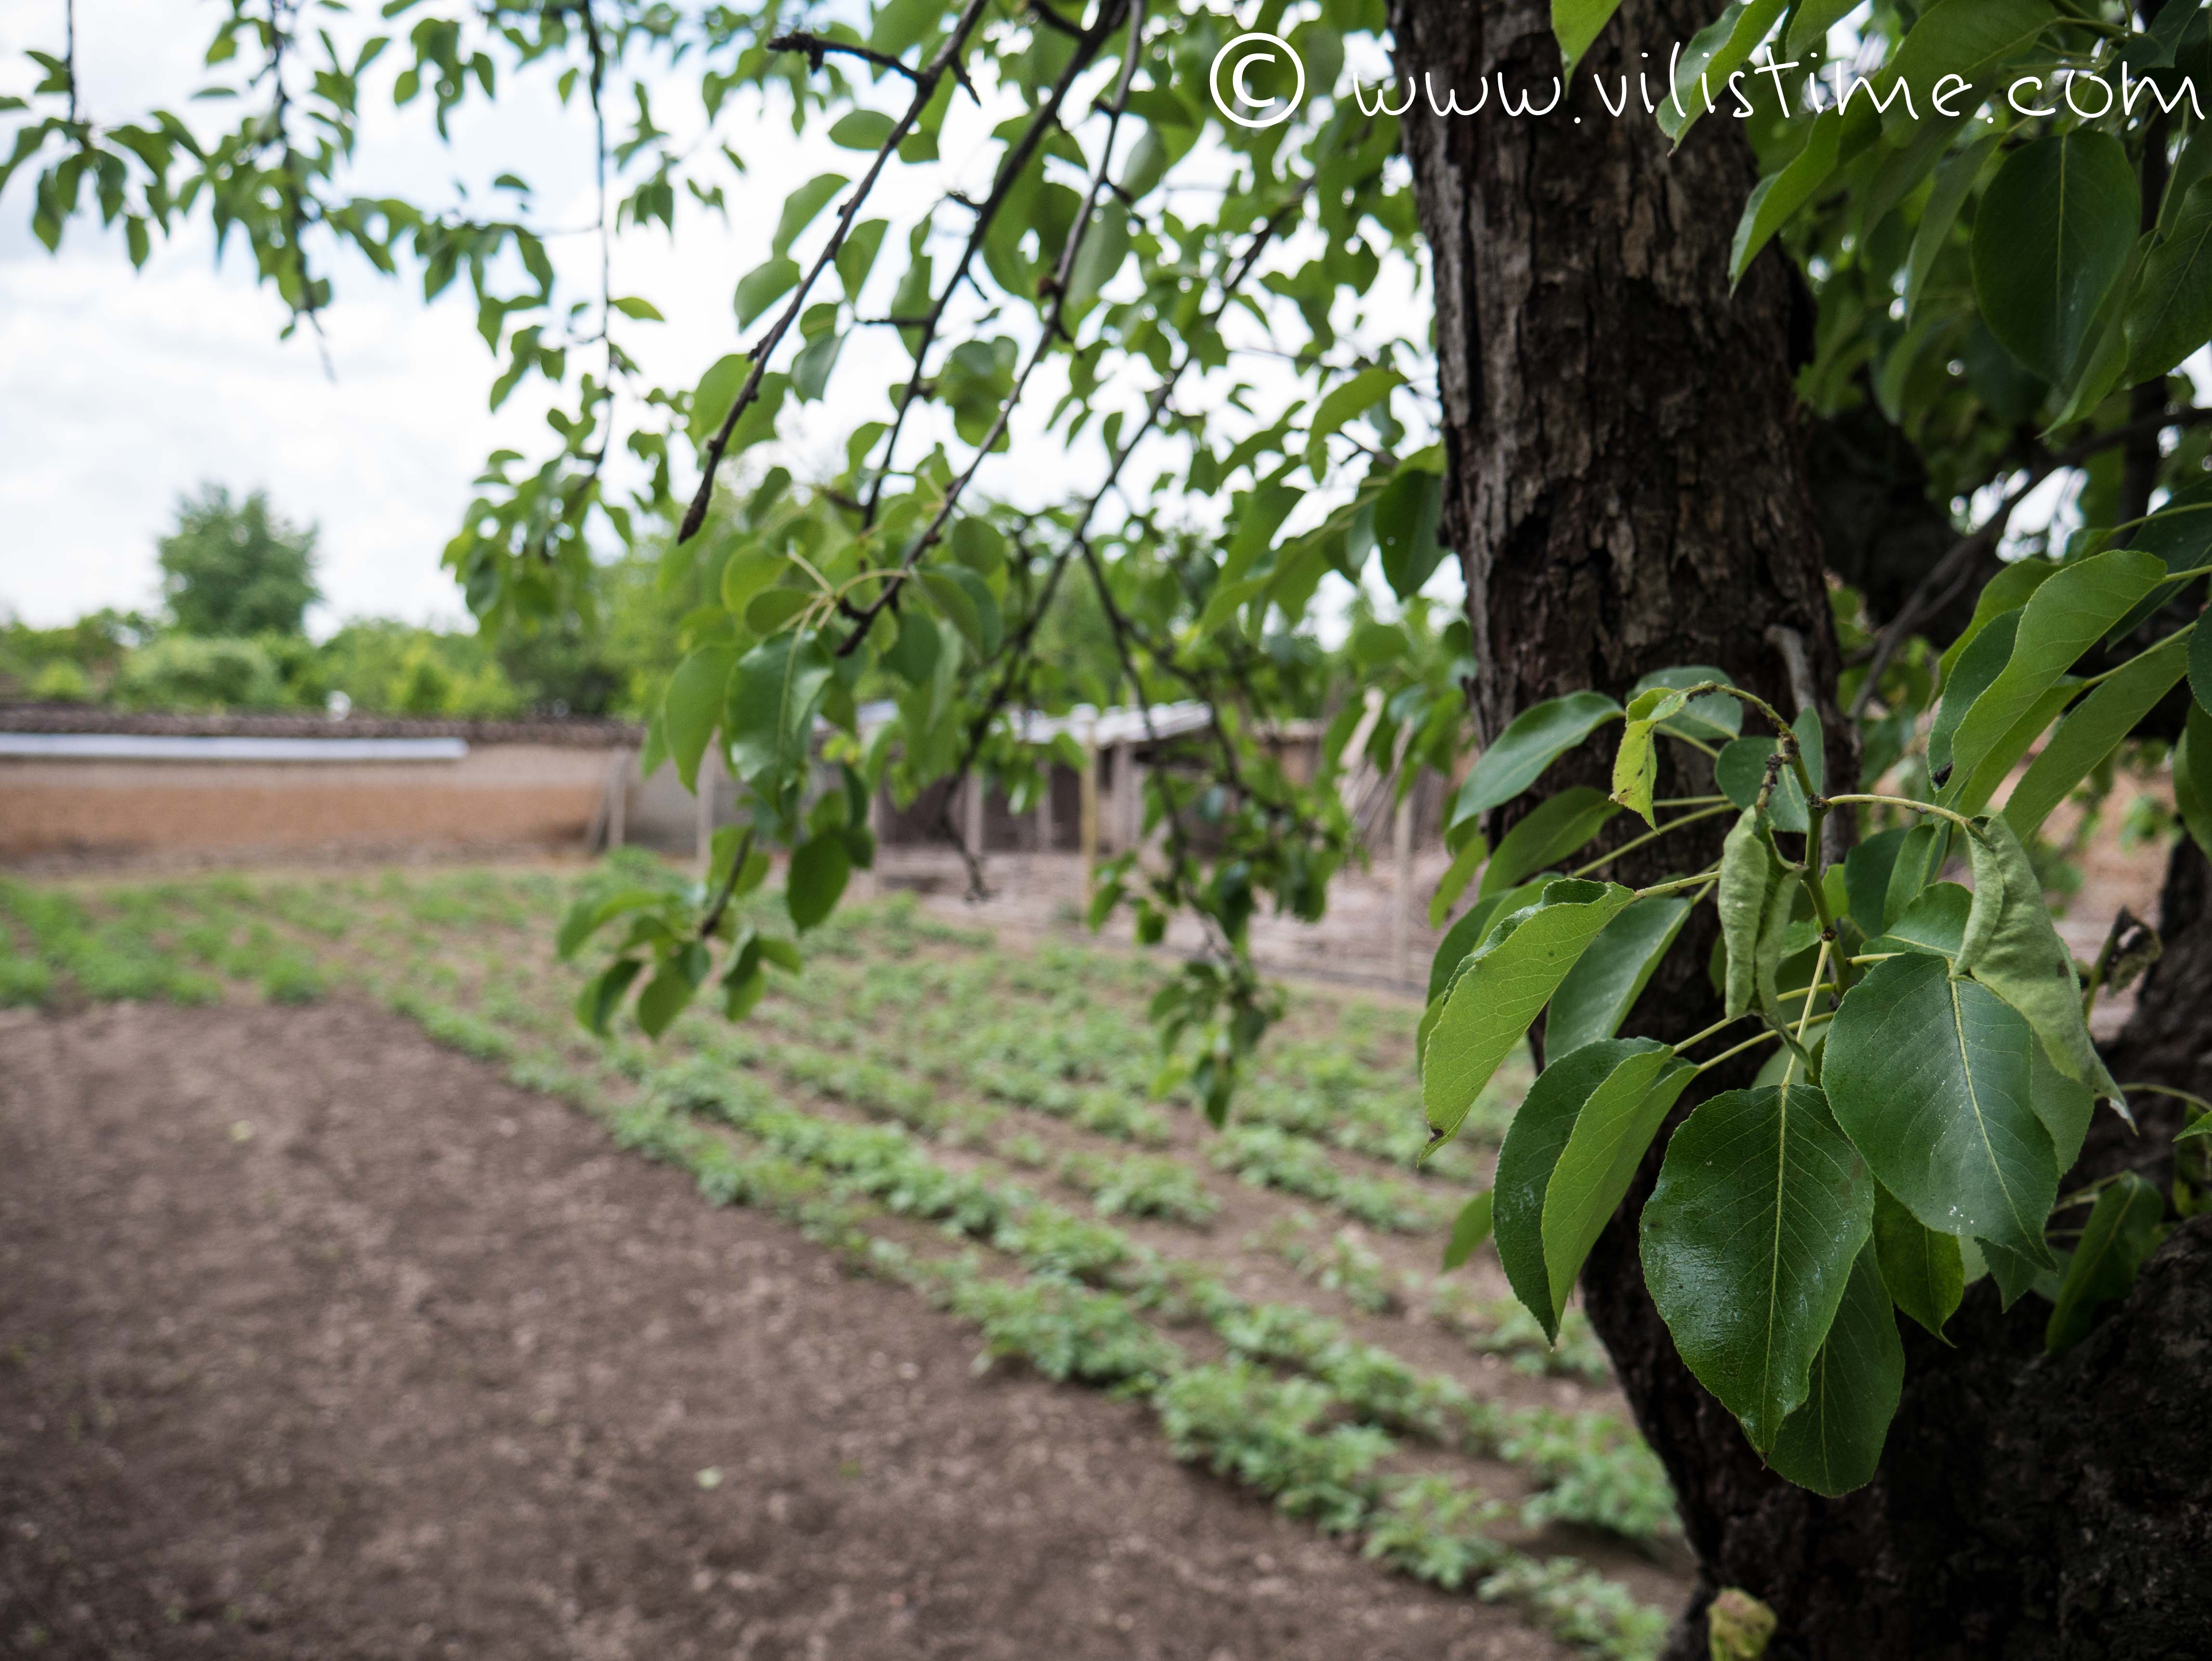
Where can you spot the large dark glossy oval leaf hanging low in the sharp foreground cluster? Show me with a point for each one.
(1749, 1244)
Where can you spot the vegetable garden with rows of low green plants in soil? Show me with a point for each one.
(990, 1129)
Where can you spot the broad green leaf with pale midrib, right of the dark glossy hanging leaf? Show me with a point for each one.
(1930, 1078)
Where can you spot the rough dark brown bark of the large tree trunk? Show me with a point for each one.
(1629, 492)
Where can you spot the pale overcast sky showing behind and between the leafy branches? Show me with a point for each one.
(123, 390)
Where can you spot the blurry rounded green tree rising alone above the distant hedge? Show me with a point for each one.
(238, 567)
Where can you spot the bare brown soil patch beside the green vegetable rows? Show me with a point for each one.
(322, 1341)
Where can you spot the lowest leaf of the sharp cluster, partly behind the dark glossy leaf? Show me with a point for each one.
(1835, 1441)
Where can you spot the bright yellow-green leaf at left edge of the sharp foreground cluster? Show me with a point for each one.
(1501, 990)
